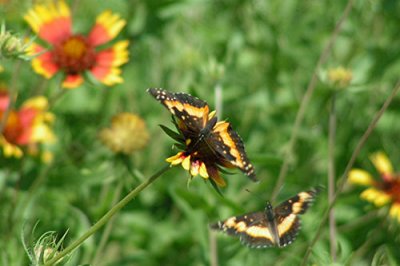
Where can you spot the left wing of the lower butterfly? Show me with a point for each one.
(251, 228)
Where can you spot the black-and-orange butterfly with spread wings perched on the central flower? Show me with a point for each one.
(206, 138)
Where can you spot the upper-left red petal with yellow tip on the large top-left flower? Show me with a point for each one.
(52, 22)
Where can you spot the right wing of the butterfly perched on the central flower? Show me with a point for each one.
(229, 146)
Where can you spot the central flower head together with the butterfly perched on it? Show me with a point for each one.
(207, 144)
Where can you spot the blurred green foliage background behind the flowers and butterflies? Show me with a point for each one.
(262, 54)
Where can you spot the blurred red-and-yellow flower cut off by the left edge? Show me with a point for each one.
(26, 128)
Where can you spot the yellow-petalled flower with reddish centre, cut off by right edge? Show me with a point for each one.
(383, 191)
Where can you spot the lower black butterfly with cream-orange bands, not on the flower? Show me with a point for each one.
(272, 227)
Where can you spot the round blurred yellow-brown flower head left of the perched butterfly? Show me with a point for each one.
(127, 134)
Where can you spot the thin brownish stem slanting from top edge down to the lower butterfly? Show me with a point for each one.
(306, 99)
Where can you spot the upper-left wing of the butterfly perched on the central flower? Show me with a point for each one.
(192, 113)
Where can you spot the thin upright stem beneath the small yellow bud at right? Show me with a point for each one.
(332, 174)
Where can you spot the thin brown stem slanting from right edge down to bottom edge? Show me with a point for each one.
(349, 165)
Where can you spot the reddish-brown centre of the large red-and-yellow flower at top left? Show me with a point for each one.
(74, 55)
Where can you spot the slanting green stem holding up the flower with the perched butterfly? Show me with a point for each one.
(106, 217)
